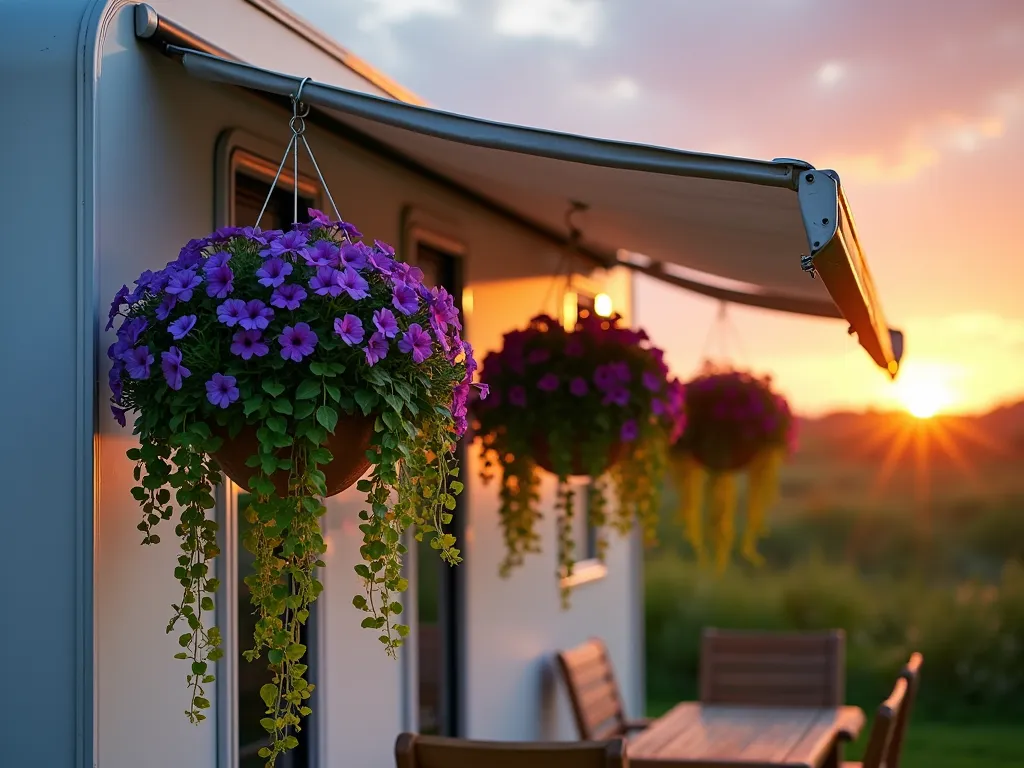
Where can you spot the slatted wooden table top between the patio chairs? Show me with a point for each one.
(729, 737)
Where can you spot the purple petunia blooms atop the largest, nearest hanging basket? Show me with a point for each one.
(242, 292)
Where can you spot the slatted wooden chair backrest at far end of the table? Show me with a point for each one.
(774, 669)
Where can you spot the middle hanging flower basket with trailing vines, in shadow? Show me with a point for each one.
(576, 403)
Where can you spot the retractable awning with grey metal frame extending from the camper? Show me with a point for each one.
(766, 228)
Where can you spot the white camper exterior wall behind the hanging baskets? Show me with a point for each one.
(156, 133)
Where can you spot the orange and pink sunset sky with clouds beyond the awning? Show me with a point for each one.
(919, 106)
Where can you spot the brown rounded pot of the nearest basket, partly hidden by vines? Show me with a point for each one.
(349, 446)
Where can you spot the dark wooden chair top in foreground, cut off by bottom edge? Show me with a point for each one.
(414, 751)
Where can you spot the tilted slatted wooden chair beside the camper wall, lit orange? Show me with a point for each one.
(598, 705)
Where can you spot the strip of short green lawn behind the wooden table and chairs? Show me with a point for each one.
(936, 745)
